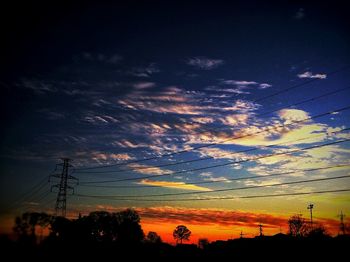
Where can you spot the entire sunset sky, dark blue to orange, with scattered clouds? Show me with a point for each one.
(186, 111)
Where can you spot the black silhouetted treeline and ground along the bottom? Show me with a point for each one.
(104, 235)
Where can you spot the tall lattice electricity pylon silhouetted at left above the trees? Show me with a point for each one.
(62, 186)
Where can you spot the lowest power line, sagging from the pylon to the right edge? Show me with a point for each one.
(223, 198)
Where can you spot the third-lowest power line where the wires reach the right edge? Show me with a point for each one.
(228, 179)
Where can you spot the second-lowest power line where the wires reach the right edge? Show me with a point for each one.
(226, 189)
